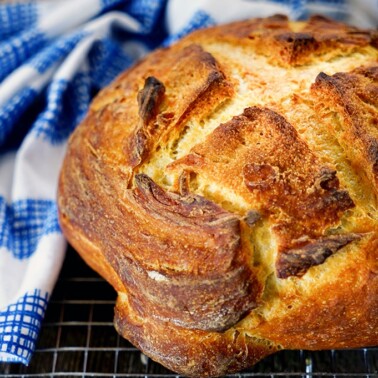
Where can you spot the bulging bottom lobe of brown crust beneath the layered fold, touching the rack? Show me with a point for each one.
(192, 352)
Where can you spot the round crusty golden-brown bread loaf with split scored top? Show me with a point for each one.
(227, 187)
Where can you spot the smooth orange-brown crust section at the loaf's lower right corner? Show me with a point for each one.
(341, 314)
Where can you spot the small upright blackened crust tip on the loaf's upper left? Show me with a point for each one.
(149, 98)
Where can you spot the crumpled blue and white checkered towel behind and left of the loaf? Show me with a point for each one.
(54, 56)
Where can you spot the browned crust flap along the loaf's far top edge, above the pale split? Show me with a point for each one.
(319, 38)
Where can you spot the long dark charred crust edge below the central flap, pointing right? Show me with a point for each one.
(296, 262)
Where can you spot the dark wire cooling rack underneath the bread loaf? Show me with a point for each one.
(78, 340)
